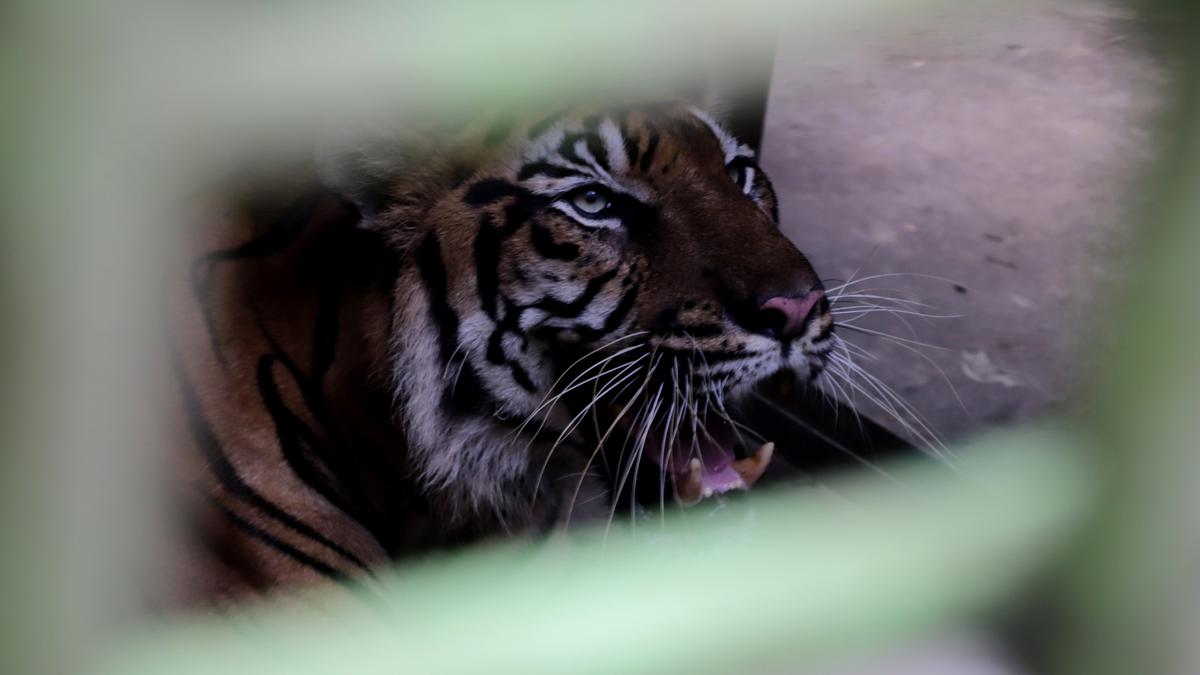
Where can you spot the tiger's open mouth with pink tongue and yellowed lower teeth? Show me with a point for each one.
(709, 459)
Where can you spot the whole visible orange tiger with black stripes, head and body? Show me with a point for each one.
(413, 342)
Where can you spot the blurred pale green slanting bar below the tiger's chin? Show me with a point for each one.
(777, 580)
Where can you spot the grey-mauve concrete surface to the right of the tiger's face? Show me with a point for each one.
(998, 151)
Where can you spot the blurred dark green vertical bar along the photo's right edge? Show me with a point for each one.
(1130, 600)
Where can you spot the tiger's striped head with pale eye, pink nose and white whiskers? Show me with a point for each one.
(619, 267)
